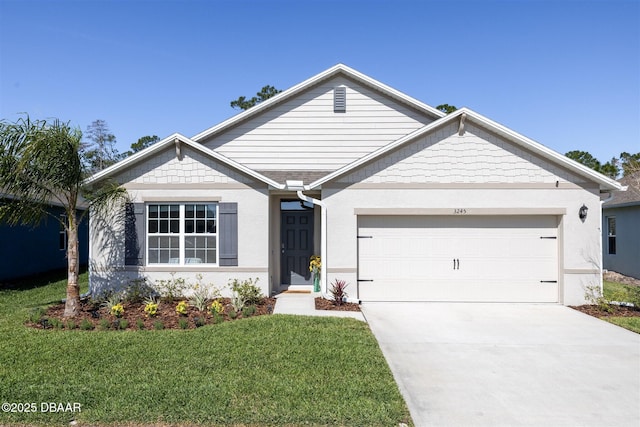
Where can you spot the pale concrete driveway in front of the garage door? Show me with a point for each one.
(469, 364)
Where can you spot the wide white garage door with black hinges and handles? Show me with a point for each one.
(458, 258)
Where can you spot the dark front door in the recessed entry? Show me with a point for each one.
(296, 246)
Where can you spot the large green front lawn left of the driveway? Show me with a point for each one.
(267, 370)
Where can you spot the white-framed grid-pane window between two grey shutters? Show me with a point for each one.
(182, 233)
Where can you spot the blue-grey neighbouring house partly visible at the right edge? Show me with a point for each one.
(621, 229)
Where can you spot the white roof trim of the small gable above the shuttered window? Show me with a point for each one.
(167, 142)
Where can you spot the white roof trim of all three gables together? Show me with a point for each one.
(277, 180)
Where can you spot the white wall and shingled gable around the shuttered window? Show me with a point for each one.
(193, 178)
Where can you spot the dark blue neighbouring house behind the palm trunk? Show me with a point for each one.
(26, 250)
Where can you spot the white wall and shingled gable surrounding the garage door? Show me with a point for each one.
(477, 171)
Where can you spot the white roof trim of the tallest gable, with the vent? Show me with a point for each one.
(339, 69)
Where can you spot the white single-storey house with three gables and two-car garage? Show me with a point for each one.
(403, 202)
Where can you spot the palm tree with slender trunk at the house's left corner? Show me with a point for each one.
(41, 164)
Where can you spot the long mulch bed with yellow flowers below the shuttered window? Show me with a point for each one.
(133, 311)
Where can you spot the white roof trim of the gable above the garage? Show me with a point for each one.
(465, 114)
